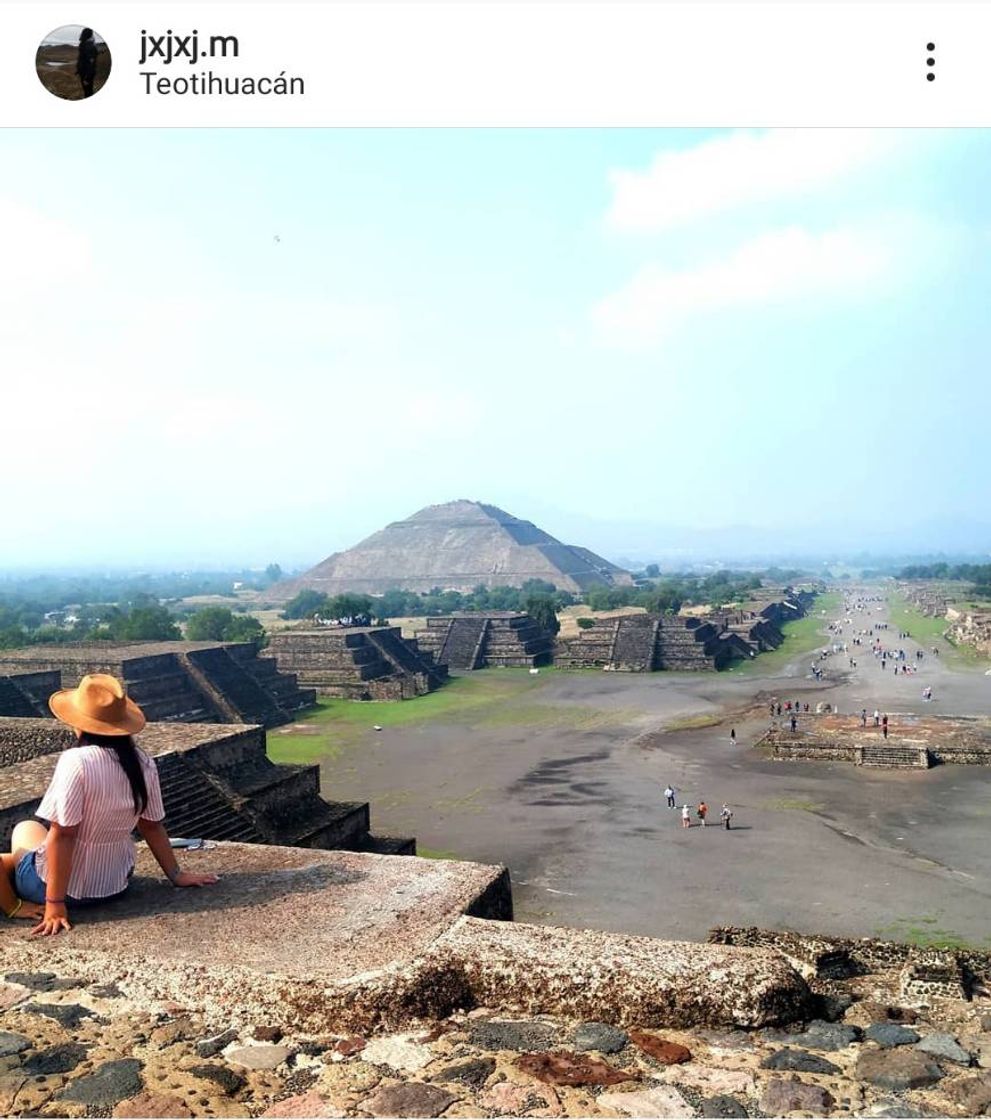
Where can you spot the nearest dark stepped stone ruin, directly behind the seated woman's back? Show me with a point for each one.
(218, 783)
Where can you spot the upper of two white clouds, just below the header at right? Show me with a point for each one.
(735, 171)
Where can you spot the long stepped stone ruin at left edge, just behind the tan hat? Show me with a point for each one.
(192, 683)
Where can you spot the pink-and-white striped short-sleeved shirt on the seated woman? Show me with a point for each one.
(91, 789)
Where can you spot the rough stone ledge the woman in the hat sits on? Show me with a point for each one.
(317, 941)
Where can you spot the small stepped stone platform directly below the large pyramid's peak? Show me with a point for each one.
(502, 639)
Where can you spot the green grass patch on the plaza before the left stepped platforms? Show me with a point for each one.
(488, 698)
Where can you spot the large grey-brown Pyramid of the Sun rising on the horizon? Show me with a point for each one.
(456, 547)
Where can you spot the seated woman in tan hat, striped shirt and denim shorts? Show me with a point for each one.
(102, 789)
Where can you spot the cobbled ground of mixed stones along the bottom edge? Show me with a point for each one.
(70, 1050)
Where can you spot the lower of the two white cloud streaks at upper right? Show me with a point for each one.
(783, 266)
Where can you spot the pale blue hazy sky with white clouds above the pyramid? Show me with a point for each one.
(627, 337)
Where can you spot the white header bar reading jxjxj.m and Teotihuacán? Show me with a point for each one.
(515, 64)
